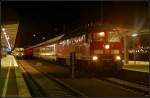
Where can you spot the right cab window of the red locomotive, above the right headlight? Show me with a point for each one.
(113, 37)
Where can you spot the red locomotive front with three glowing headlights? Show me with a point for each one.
(106, 50)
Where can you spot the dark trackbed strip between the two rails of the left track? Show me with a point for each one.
(48, 86)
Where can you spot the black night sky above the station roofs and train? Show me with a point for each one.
(48, 19)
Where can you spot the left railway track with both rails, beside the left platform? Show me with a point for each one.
(42, 84)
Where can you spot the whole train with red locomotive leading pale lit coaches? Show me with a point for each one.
(95, 49)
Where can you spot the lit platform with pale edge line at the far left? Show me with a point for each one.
(12, 81)
